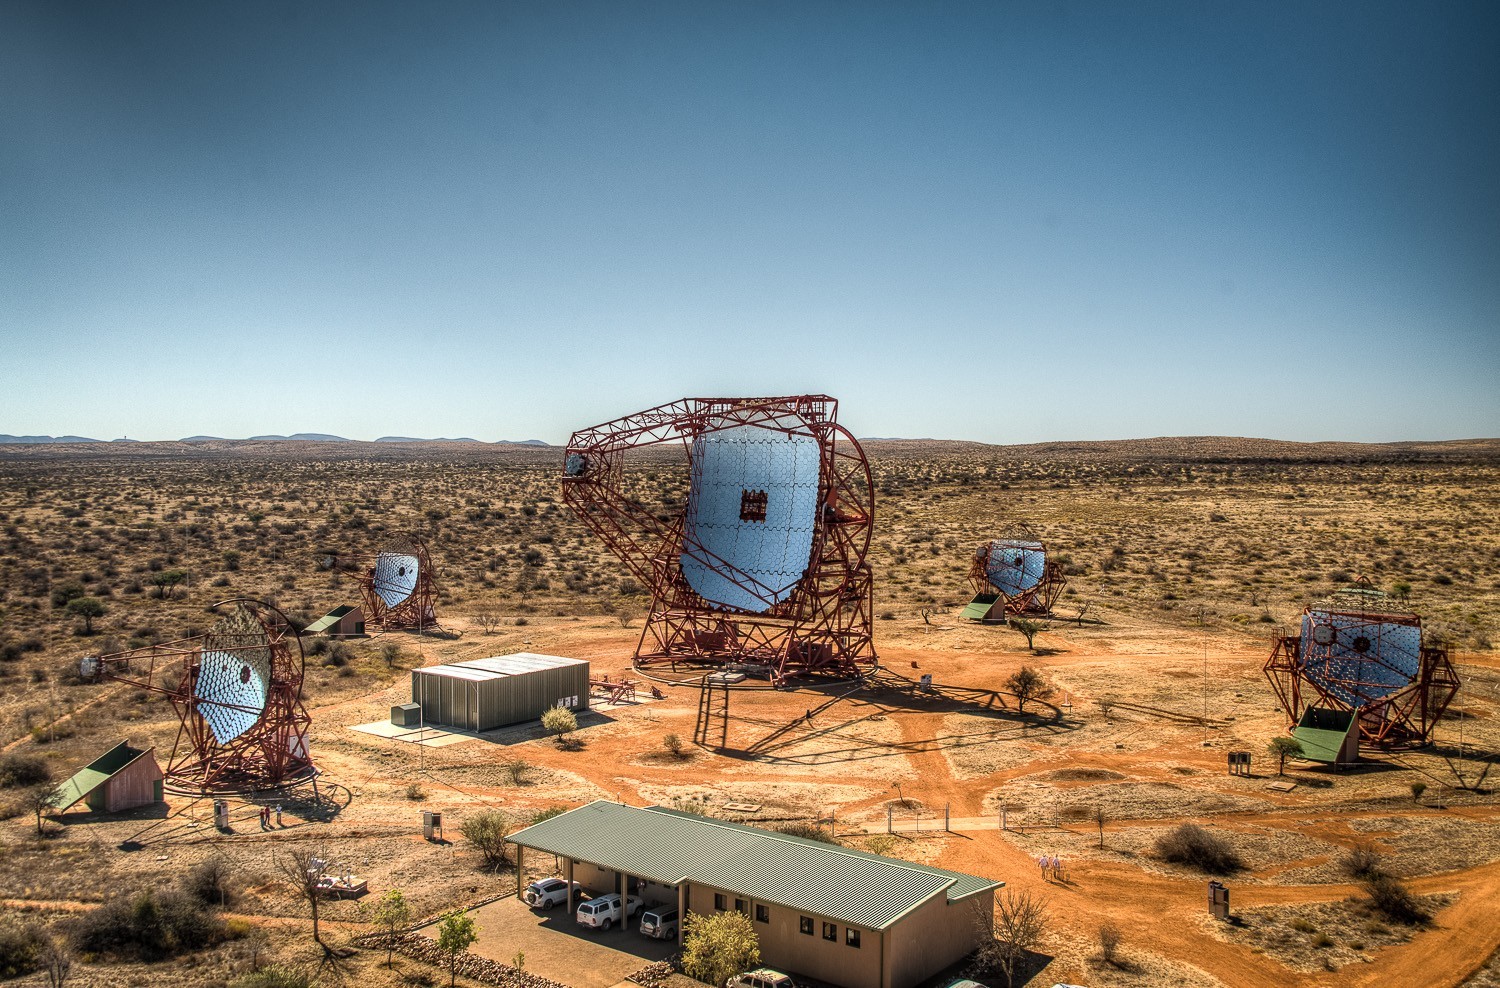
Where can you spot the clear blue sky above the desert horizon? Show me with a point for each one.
(1007, 223)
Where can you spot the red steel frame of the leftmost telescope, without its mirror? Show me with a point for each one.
(274, 750)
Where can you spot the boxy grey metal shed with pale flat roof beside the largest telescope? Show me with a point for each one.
(490, 693)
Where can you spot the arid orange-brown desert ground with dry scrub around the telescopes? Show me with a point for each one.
(1184, 558)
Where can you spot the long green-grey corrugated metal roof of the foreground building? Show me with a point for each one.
(670, 846)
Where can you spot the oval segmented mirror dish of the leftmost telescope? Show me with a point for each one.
(235, 675)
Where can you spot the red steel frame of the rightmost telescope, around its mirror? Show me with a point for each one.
(1403, 717)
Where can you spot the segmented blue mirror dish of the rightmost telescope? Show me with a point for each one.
(1360, 659)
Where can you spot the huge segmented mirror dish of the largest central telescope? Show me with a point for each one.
(752, 509)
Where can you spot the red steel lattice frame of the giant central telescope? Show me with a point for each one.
(823, 627)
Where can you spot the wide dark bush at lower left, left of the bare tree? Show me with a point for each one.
(149, 926)
